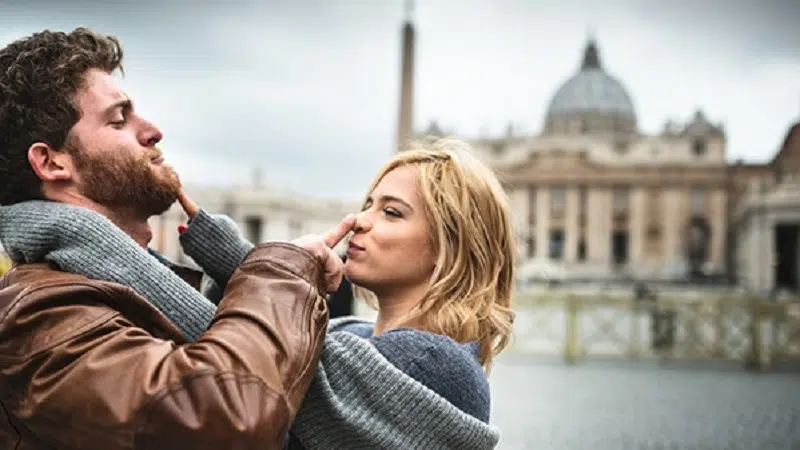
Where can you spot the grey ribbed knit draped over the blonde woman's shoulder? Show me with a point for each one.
(358, 399)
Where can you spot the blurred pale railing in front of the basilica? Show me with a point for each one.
(756, 332)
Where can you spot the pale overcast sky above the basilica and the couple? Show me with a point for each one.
(308, 90)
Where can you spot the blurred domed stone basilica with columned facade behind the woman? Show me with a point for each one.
(594, 198)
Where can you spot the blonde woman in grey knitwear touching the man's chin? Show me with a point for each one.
(433, 250)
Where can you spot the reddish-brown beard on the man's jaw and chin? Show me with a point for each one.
(123, 182)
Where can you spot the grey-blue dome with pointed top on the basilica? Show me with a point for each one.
(591, 101)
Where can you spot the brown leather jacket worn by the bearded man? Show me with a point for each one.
(87, 364)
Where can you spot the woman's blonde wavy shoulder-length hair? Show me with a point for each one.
(472, 237)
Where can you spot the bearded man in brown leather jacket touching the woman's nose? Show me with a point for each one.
(91, 364)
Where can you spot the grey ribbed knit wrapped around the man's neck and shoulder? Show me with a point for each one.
(82, 241)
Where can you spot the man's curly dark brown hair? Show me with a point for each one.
(39, 77)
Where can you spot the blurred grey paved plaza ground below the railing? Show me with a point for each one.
(542, 404)
